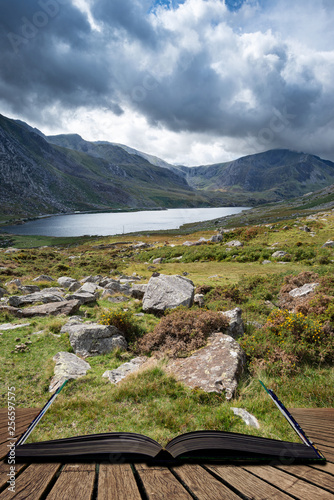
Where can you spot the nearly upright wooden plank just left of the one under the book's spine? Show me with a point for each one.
(117, 481)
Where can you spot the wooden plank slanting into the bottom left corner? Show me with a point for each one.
(32, 483)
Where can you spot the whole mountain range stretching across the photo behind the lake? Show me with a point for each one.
(64, 173)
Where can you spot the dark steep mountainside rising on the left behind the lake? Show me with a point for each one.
(37, 177)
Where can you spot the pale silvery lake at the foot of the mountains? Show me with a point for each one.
(108, 224)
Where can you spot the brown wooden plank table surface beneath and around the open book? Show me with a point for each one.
(102, 481)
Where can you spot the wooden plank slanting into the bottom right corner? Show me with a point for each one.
(290, 484)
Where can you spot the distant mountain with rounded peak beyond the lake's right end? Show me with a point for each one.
(275, 174)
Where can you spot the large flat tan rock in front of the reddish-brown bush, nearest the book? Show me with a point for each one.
(214, 368)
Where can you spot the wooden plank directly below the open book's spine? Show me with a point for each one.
(160, 484)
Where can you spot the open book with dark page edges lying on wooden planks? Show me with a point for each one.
(198, 446)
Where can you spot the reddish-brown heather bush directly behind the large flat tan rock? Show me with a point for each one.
(182, 331)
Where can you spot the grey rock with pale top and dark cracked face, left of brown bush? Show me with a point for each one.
(92, 339)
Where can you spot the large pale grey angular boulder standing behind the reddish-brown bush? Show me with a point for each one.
(167, 292)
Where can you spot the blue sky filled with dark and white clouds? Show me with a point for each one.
(191, 81)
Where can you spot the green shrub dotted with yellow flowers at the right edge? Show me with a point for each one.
(287, 341)
